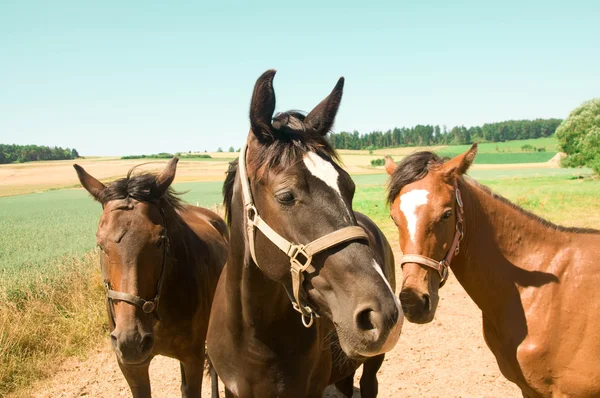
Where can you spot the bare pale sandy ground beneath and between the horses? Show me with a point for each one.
(446, 358)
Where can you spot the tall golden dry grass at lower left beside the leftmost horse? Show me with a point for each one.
(45, 318)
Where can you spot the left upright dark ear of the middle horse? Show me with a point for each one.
(262, 106)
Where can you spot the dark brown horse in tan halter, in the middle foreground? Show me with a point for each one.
(303, 299)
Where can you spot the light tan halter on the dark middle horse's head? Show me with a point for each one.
(300, 255)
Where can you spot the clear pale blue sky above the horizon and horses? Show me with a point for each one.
(130, 77)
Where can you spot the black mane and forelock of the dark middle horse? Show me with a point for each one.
(292, 138)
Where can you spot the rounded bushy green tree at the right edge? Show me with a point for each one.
(579, 136)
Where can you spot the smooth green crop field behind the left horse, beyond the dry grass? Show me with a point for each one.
(38, 228)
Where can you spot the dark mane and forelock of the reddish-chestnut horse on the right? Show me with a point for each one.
(416, 166)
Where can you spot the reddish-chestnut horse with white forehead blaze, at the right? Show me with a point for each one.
(535, 282)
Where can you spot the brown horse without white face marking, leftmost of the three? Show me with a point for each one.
(161, 261)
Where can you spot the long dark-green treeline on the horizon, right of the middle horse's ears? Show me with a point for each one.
(422, 135)
